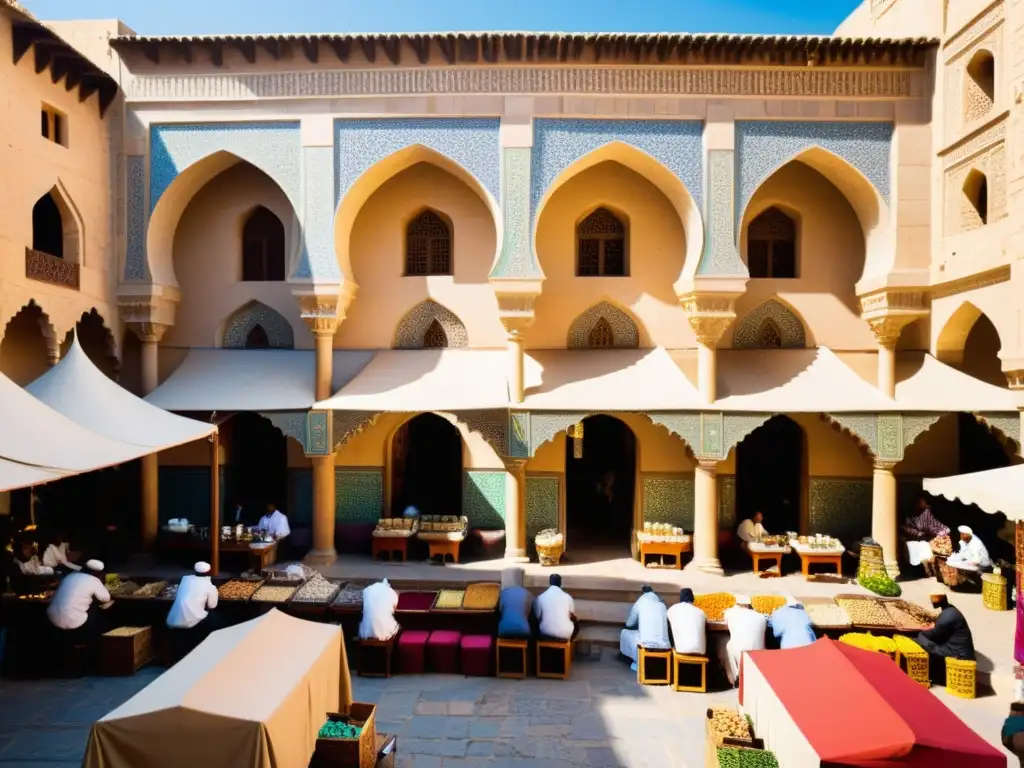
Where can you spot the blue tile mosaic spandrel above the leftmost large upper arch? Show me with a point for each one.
(274, 148)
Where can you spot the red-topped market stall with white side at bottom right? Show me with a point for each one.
(866, 713)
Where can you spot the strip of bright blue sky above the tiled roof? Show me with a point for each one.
(219, 17)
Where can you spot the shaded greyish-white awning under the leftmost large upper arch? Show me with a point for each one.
(251, 379)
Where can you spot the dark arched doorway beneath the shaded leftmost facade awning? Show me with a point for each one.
(259, 474)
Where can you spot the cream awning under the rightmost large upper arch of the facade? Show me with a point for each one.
(793, 381)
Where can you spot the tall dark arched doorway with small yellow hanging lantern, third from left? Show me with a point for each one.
(601, 486)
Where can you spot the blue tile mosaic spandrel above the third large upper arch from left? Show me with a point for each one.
(559, 144)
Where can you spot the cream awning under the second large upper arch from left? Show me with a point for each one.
(415, 380)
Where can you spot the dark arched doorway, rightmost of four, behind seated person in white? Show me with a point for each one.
(770, 475)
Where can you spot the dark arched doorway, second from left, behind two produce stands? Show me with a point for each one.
(426, 467)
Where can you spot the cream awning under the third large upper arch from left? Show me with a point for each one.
(609, 380)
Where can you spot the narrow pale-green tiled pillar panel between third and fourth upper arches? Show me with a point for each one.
(721, 255)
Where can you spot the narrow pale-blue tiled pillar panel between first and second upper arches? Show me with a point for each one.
(318, 260)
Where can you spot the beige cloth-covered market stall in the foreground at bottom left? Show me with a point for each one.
(240, 703)
